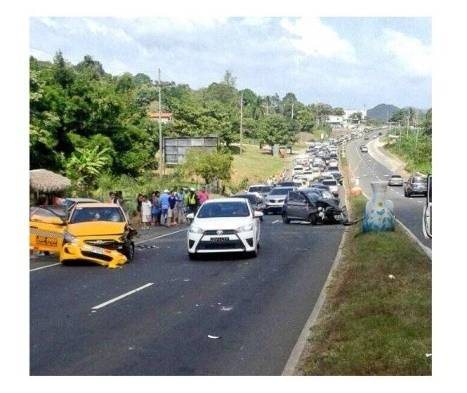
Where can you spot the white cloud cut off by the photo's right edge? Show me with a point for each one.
(409, 52)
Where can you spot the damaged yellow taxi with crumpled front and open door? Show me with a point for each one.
(95, 232)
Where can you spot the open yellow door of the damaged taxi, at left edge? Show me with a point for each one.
(45, 230)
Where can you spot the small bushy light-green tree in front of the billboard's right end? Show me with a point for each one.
(210, 166)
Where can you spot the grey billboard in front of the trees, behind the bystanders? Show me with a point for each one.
(176, 148)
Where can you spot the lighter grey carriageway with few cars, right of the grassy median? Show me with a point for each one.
(408, 210)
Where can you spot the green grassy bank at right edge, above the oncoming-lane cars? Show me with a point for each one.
(415, 152)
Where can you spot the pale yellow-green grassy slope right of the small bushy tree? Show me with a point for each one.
(255, 166)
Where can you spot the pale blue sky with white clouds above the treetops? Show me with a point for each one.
(342, 61)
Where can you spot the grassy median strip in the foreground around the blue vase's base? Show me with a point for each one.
(371, 324)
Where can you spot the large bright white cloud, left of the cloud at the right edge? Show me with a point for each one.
(313, 38)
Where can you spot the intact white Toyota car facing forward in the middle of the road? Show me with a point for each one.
(224, 225)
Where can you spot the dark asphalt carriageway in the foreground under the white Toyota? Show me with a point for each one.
(257, 307)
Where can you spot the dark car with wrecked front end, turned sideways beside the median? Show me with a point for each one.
(307, 205)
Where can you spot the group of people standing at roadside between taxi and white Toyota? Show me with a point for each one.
(169, 208)
